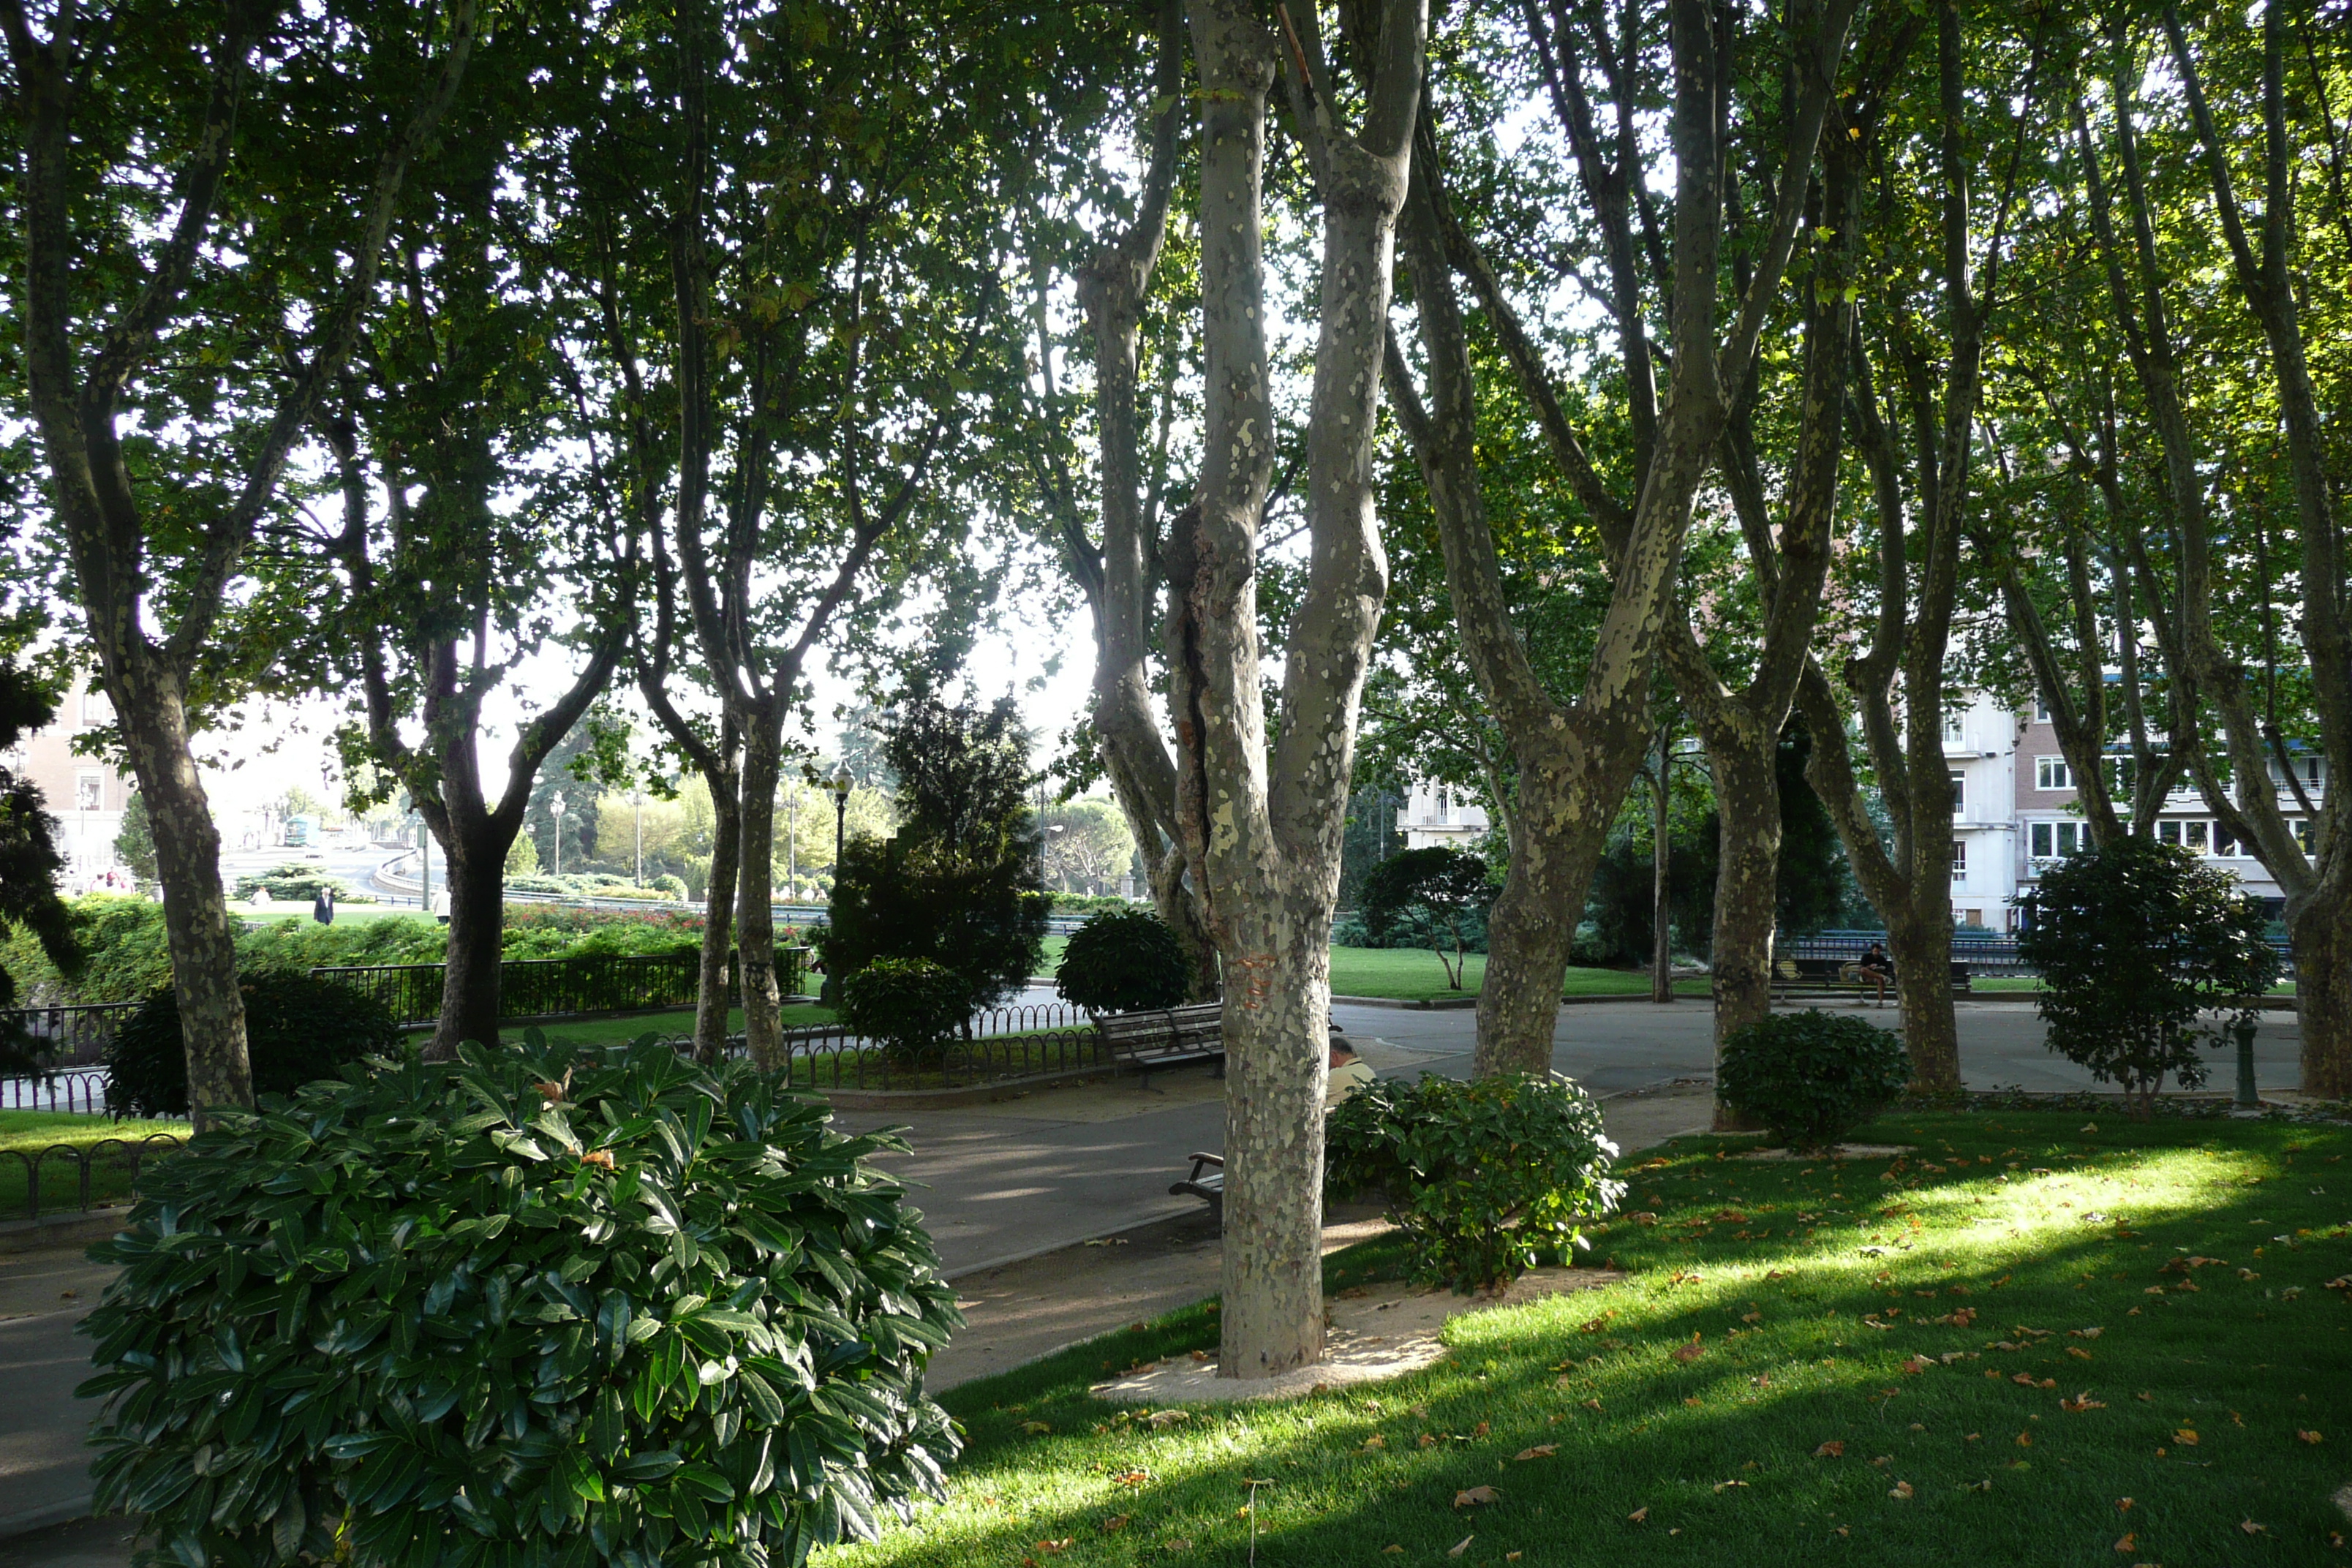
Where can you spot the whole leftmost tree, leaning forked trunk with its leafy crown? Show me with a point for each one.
(201, 210)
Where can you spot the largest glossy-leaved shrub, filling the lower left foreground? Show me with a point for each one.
(521, 1308)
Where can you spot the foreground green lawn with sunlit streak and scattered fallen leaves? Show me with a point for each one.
(2043, 1339)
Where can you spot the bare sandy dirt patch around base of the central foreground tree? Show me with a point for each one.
(1375, 1334)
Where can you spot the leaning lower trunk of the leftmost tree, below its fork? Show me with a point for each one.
(194, 906)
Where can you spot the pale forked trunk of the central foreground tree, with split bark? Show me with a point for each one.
(1262, 824)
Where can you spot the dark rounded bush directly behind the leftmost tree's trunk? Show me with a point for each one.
(295, 1031)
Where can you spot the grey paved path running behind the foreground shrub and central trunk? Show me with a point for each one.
(1015, 1191)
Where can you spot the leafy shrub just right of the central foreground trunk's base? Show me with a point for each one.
(1485, 1179)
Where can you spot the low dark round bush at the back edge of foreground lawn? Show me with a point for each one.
(1812, 1078)
